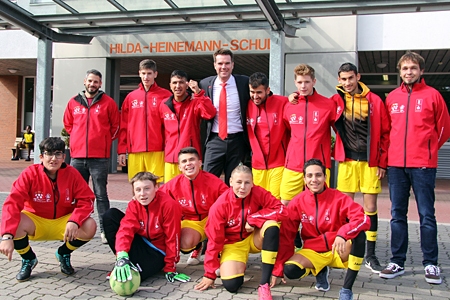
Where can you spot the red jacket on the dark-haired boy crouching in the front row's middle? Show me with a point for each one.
(195, 196)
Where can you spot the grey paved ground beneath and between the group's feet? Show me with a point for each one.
(93, 260)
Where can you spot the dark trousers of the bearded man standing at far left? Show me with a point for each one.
(97, 168)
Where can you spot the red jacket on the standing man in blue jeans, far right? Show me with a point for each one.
(420, 125)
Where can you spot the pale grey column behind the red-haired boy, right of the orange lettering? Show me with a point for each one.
(276, 72)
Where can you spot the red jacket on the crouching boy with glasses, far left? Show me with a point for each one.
(35, 192)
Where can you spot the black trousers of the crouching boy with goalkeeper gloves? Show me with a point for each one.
(149, 260)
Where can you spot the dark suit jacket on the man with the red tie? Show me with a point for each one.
(244, 96)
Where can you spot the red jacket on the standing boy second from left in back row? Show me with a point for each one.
(141, 129)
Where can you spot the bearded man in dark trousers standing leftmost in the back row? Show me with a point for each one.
(92, 120)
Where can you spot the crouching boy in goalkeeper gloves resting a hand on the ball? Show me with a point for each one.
(148, 234)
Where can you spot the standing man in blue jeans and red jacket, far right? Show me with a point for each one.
(420, 125)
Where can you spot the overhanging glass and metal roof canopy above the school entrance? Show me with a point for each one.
(77, 20)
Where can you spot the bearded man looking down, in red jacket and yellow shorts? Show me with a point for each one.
(267, 134)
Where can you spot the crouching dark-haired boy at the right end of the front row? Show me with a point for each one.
(332, 229)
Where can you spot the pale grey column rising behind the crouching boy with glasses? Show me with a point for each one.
(43, 92)
